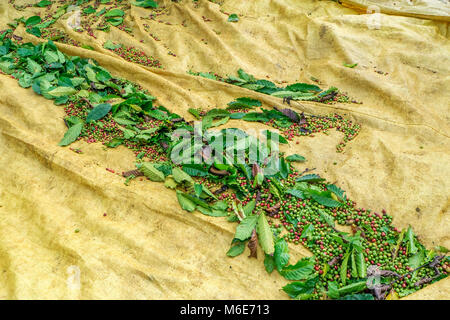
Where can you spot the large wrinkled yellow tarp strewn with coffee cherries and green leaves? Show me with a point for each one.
(147, 247)
